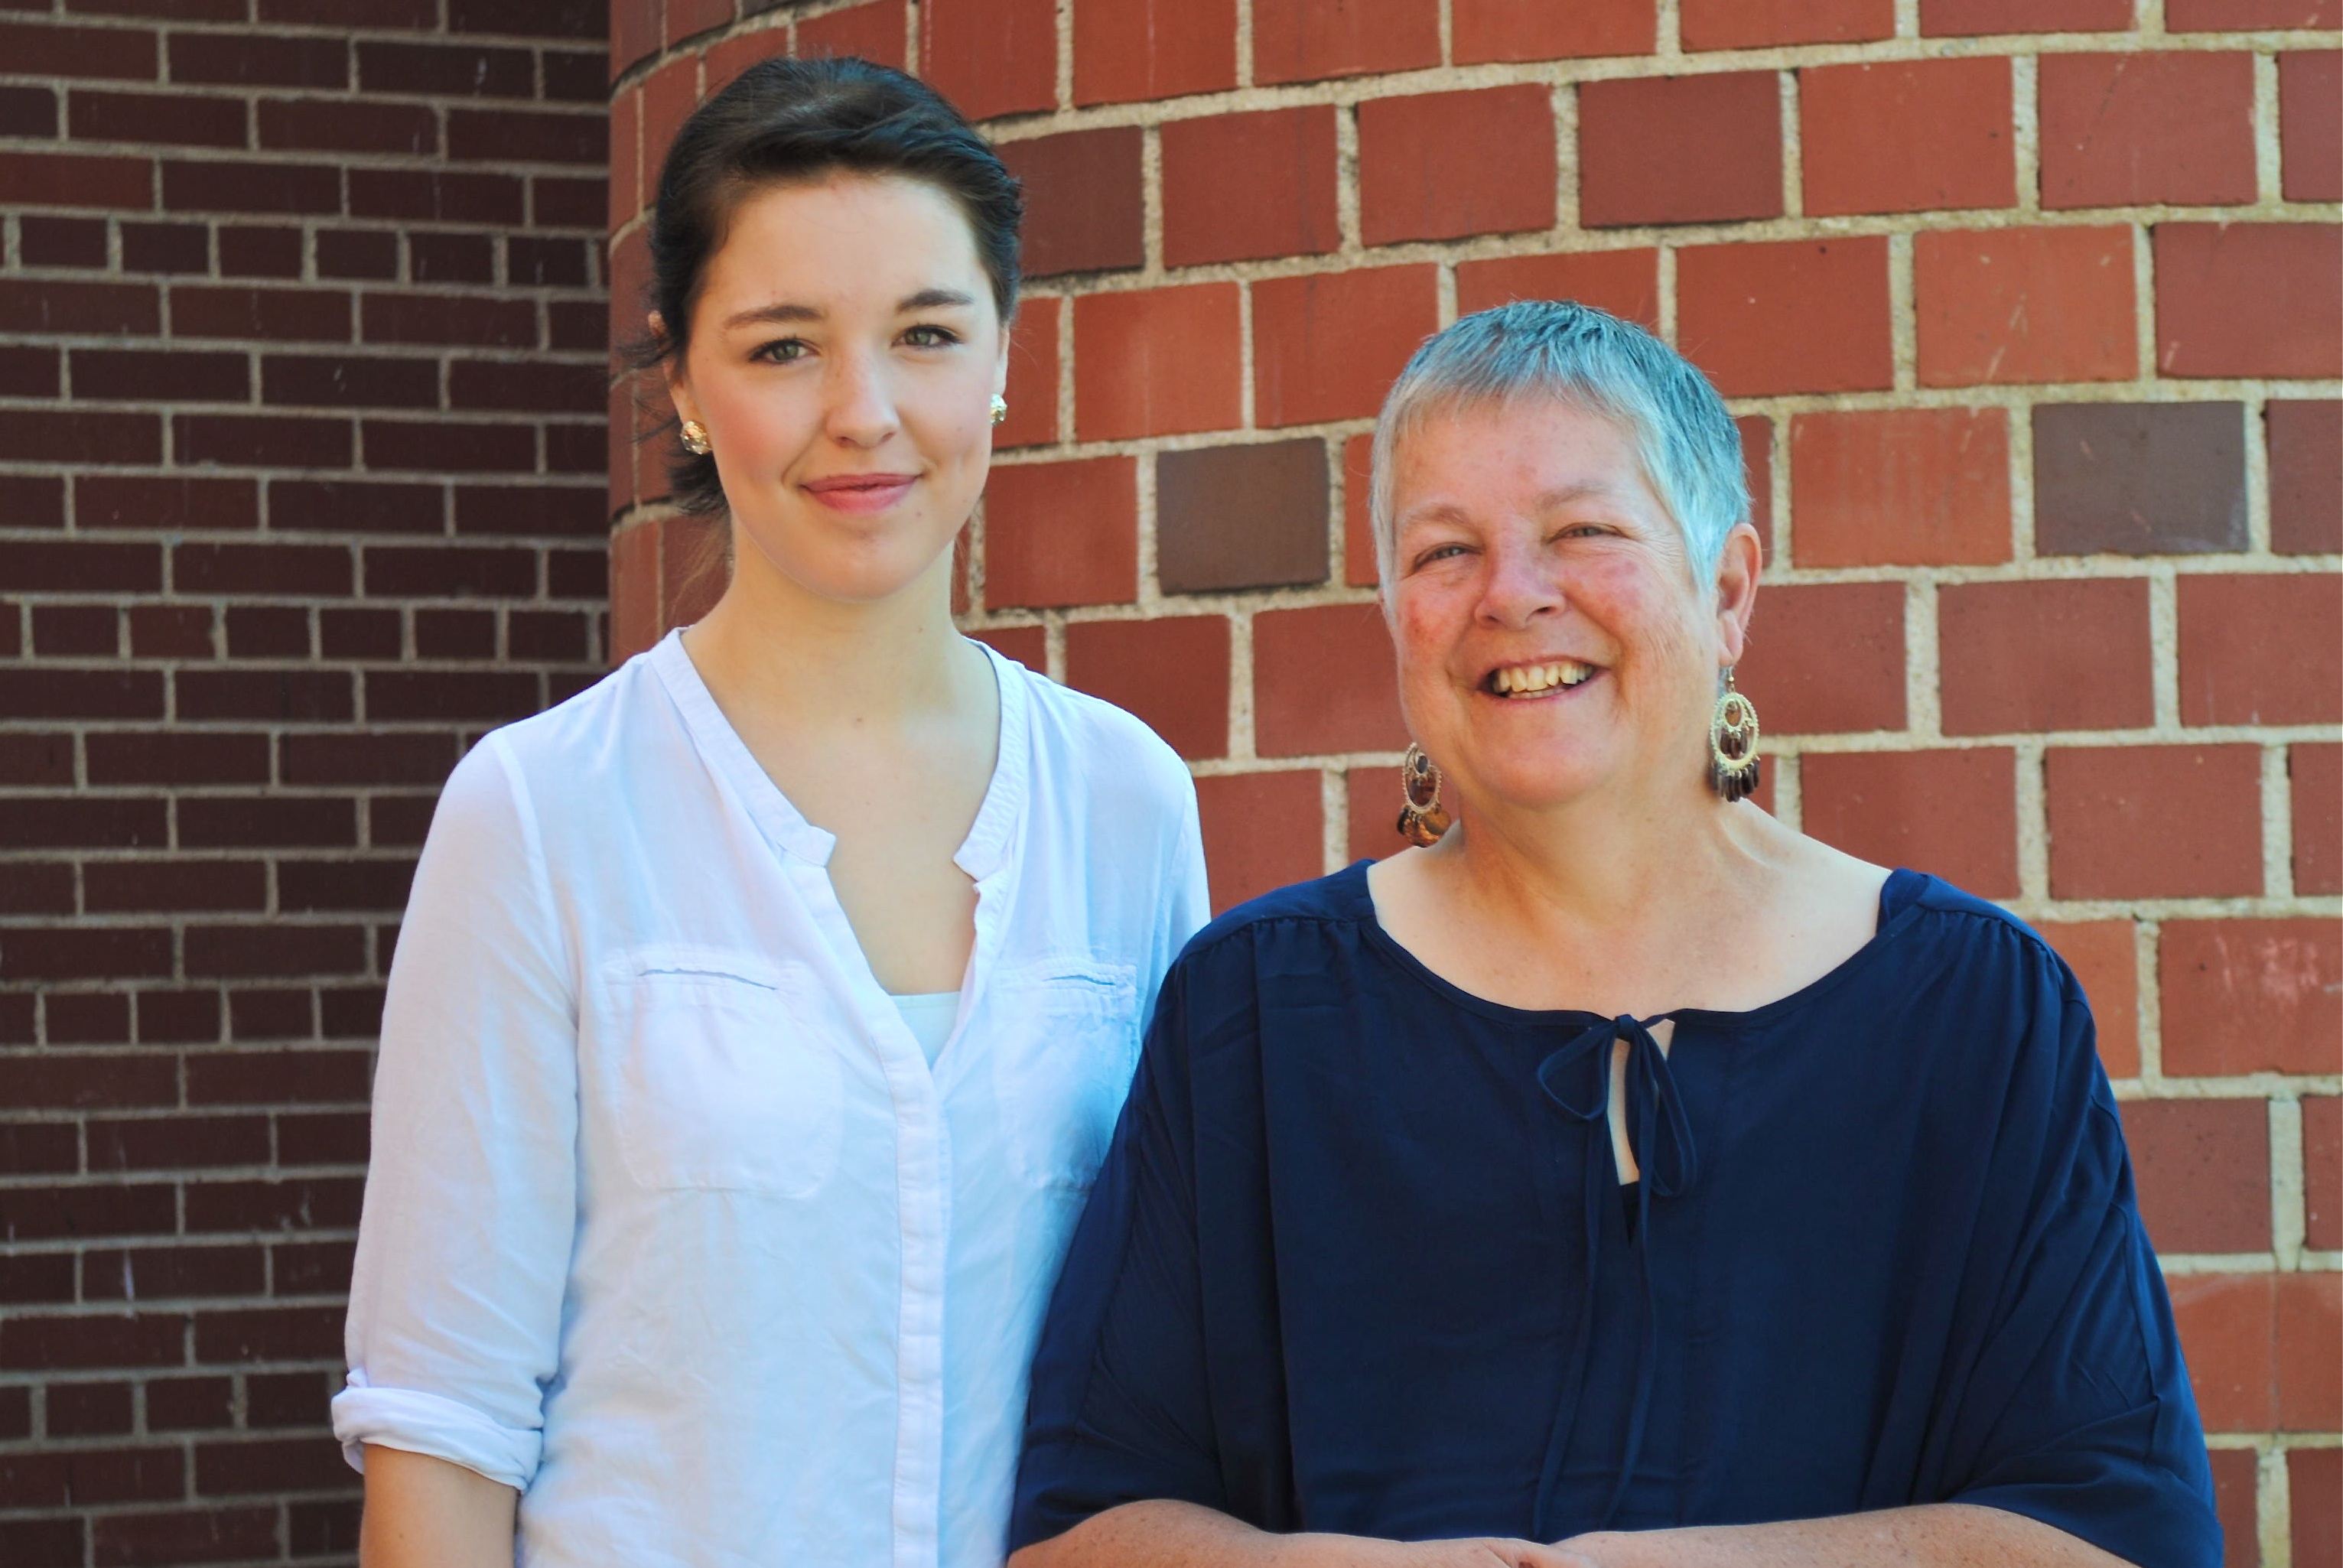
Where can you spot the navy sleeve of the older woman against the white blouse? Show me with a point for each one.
(1121, 1407)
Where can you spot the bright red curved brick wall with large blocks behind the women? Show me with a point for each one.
(2033, 318)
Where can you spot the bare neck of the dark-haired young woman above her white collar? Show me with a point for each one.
(817, 664)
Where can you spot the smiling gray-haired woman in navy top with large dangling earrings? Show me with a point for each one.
(1625, 1178)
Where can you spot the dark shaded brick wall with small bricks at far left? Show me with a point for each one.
(301, 374)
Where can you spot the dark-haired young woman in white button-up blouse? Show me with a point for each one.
(763, 1014)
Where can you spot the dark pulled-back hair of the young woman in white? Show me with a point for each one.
(793, 121)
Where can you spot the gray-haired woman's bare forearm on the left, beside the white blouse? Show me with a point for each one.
(1189, 1536)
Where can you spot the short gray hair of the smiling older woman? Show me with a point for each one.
(1590, 360)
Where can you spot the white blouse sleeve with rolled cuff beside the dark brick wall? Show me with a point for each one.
(472, 1192)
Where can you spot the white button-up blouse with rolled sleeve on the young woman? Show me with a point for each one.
(669, 1222)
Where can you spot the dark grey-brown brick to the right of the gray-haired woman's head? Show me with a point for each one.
(2138, 479)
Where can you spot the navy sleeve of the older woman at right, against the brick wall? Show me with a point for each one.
(2070, 1396)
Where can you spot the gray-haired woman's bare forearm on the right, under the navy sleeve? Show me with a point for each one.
(1929, 1536)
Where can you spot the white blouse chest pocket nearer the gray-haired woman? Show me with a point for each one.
(1065, 1068)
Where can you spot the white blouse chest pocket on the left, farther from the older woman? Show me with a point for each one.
(720, 1075)
